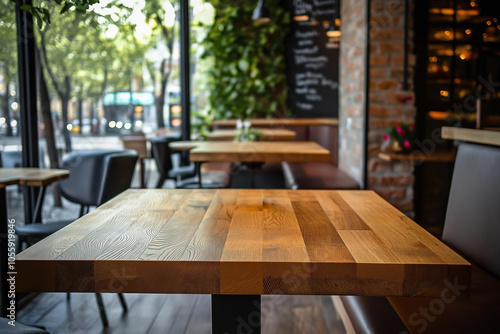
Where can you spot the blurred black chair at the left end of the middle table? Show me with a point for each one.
(167, 169)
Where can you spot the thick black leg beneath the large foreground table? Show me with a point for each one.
(235, 314)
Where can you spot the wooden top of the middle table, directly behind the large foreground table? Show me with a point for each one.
(274, 151)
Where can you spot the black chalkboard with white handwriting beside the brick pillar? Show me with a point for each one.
(312, 60)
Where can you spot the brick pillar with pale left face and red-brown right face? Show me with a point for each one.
(388, 102)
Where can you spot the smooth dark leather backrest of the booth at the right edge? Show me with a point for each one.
(472, 225)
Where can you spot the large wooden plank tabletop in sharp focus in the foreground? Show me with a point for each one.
(248, 241)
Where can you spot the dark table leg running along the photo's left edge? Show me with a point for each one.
(3, 250)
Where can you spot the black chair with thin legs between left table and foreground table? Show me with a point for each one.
(95, 177)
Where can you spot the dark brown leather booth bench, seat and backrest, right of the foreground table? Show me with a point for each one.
(472, 229)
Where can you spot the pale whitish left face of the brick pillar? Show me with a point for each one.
(352, 87)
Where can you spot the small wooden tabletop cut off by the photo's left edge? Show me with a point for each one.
(31, 177)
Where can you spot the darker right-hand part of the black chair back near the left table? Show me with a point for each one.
(118, 175)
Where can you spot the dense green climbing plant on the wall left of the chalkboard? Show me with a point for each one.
(248, 74)
